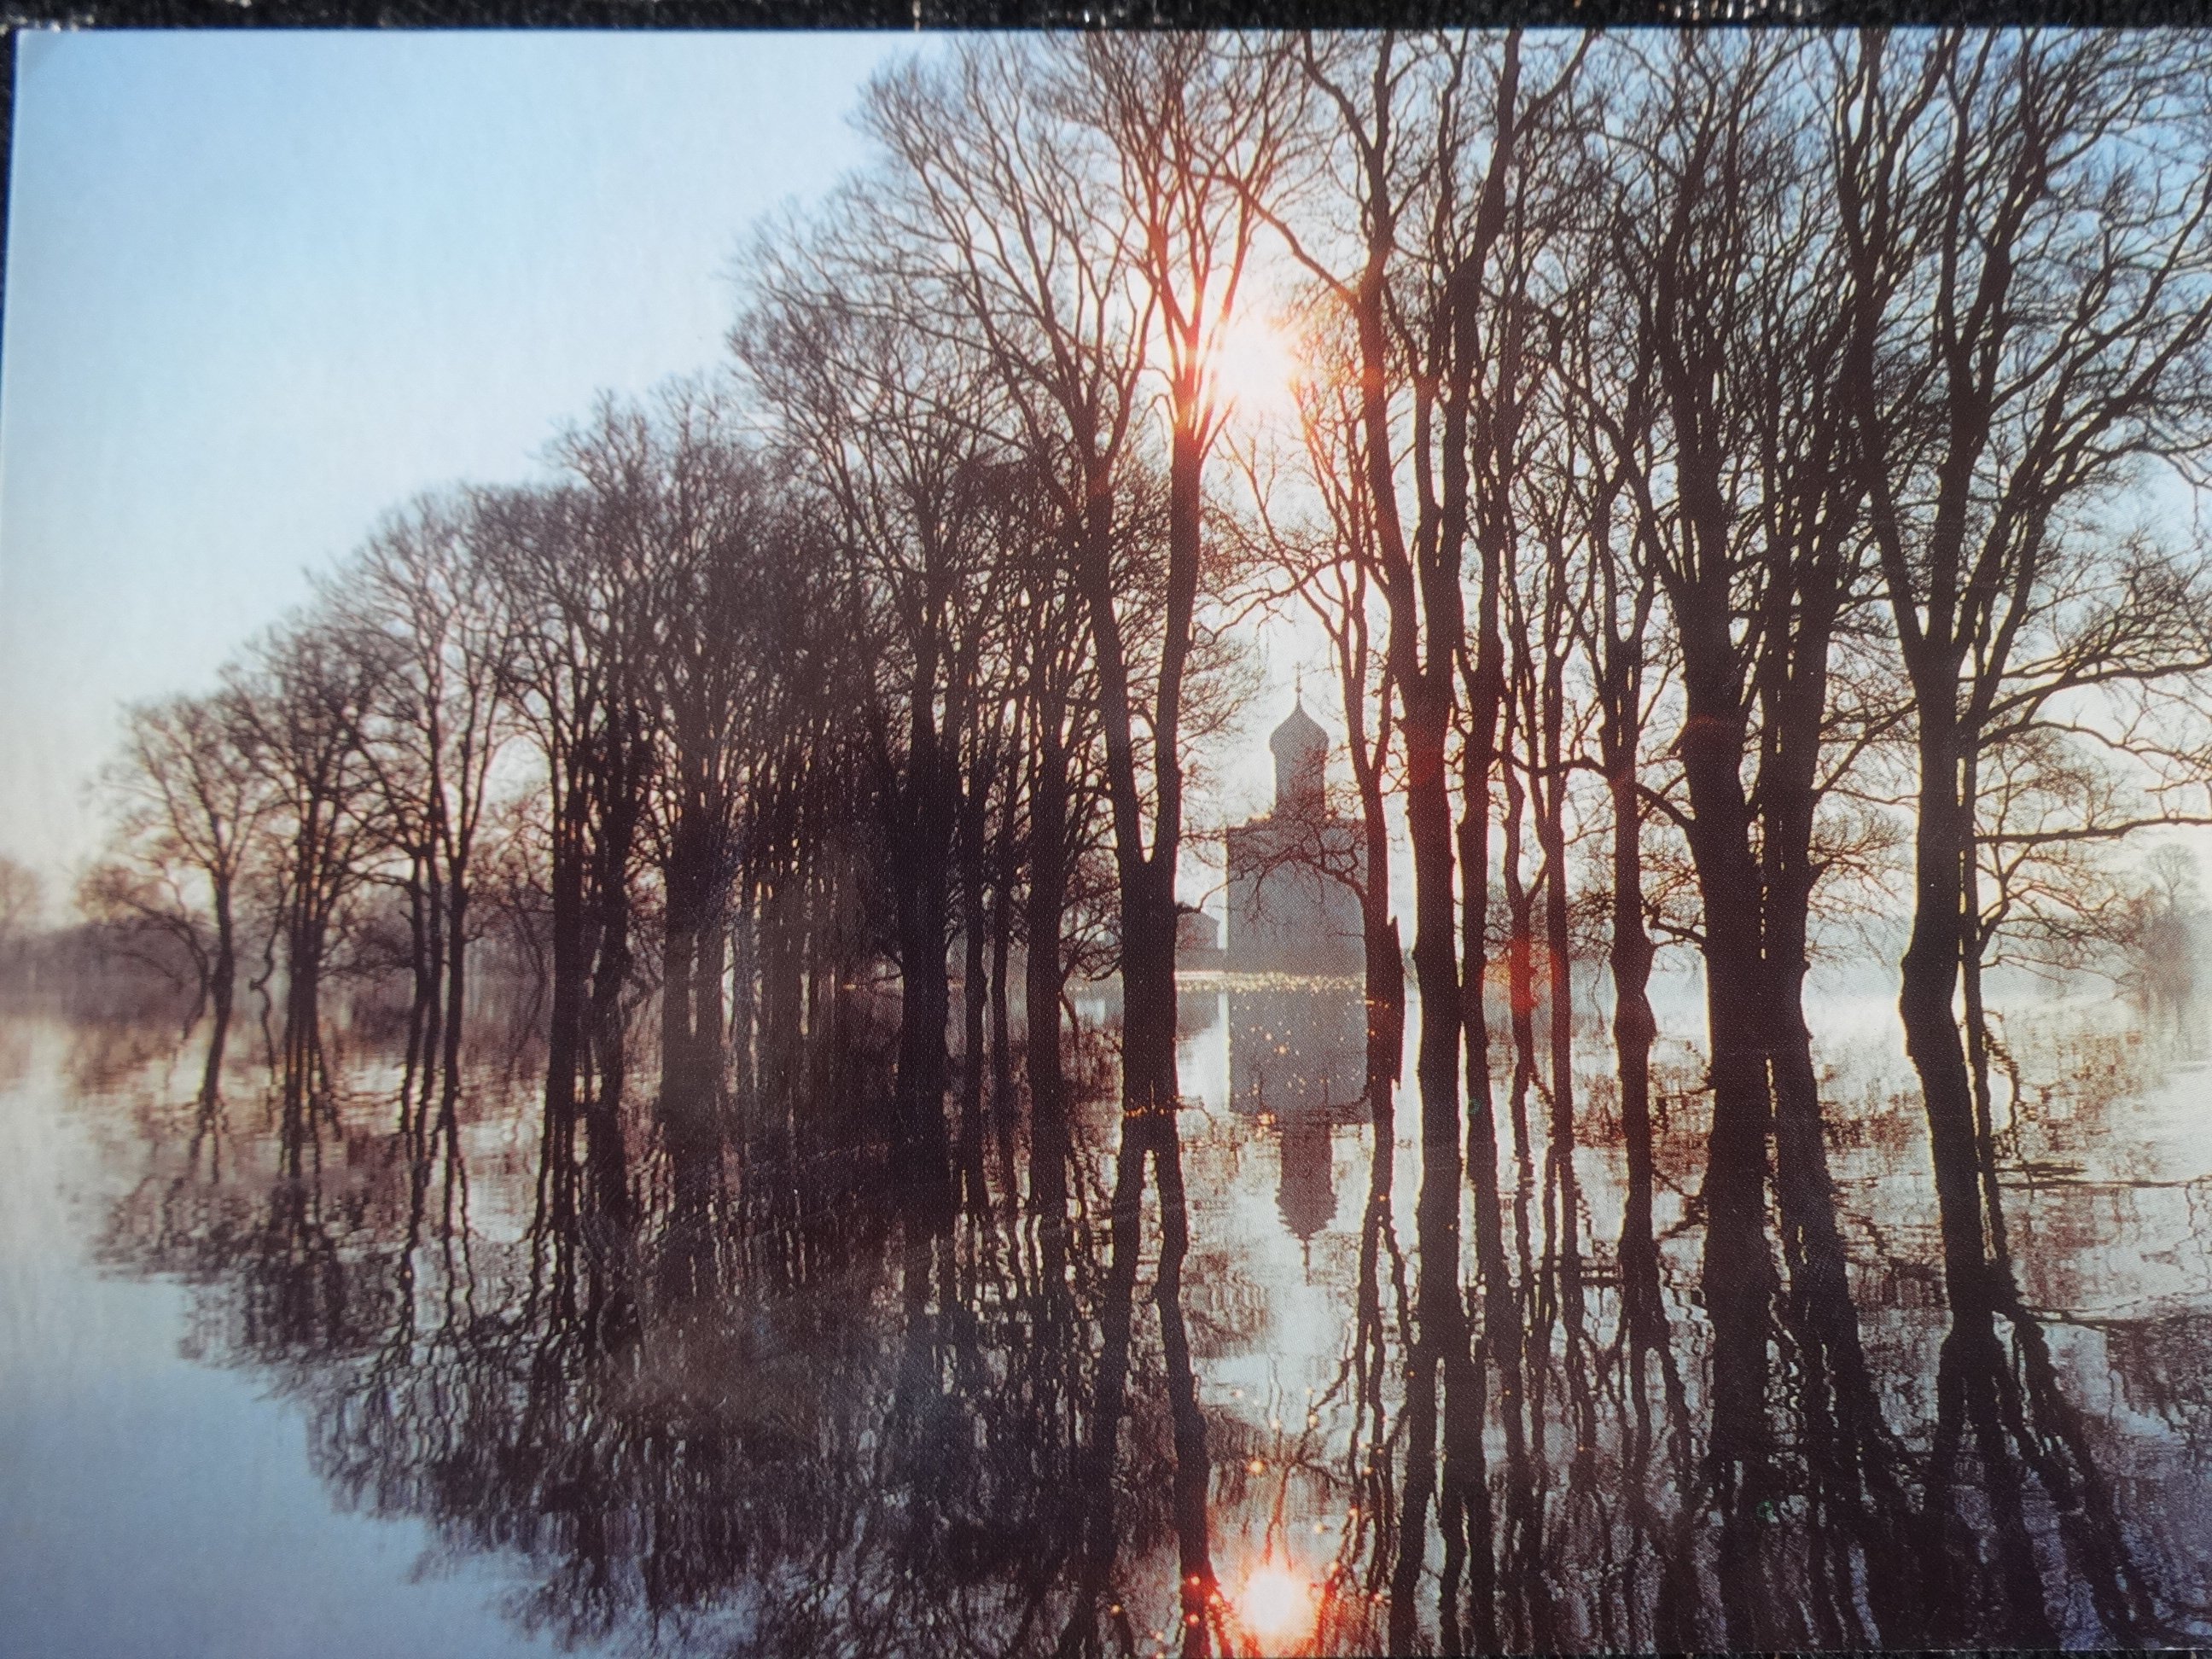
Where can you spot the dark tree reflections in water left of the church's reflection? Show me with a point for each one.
(755, 1412)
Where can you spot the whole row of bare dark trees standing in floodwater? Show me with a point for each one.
(1720, 463)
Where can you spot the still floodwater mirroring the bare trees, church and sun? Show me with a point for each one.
(357, 1366)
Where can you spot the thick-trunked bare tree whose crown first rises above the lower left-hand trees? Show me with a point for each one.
(893, 426)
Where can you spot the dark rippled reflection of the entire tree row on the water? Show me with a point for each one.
(758, 1410)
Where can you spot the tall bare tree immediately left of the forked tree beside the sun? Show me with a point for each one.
(990, 198)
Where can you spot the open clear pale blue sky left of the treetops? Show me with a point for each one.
(264, 286)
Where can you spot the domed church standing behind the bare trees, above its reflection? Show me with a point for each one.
(1295, 873)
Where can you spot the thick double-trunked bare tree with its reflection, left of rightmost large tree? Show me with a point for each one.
(1755, 530)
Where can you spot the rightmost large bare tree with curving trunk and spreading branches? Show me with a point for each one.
(2027, 218)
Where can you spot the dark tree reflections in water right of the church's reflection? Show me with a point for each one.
(1583, 1512)
